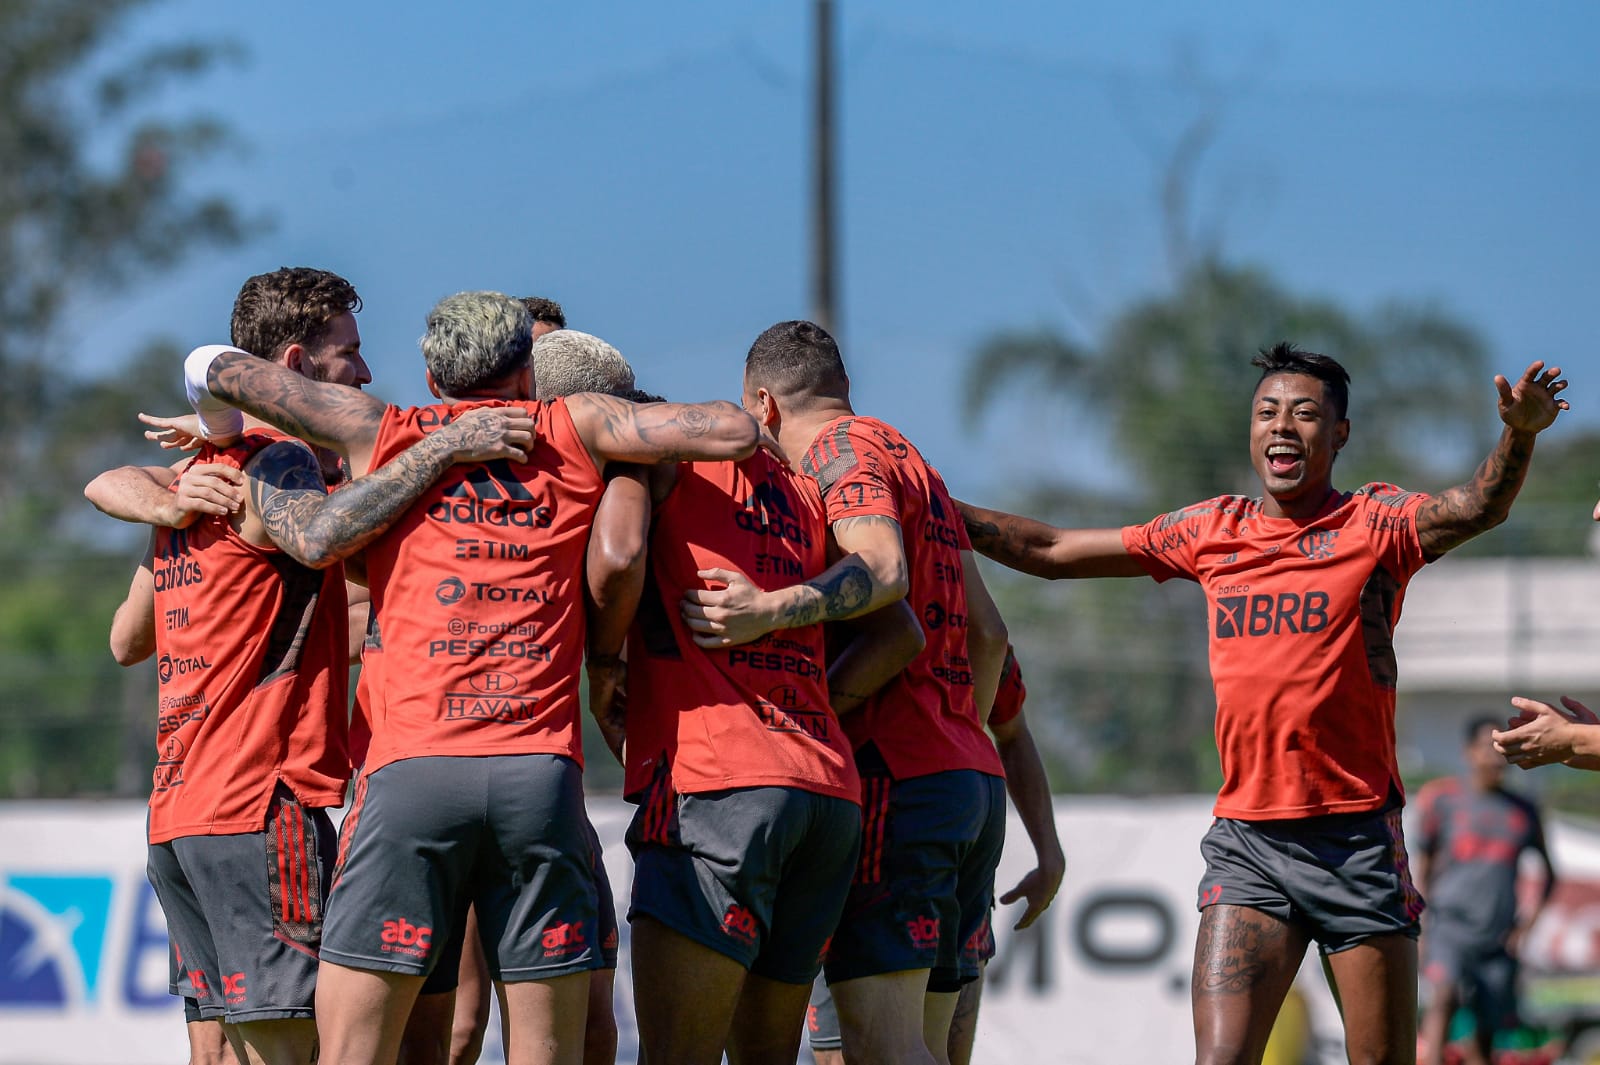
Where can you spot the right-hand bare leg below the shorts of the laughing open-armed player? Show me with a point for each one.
(1377, 981)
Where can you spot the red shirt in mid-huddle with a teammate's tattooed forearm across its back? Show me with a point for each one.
(756, 716)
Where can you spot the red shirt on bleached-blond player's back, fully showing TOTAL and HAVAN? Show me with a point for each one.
(478, 634)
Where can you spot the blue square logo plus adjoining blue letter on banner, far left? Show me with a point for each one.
(82, 944)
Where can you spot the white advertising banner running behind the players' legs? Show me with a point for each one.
(1102, 979)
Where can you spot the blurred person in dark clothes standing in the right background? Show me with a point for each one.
(1473, 834)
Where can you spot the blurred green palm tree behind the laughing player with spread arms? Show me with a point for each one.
(1170, 381)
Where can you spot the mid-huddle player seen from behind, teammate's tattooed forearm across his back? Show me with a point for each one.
(750, 804)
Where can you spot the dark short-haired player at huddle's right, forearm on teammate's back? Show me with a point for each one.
(926, 879)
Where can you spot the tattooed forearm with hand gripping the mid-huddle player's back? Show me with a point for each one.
(871, 575)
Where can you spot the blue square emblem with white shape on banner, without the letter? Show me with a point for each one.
(52, 936)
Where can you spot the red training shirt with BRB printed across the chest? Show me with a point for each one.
(1302, 640)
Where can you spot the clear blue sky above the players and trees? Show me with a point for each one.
(647, 166)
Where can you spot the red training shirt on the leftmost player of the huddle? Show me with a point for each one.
(252, 650)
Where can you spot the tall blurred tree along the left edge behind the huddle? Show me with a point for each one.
(97, 191)
